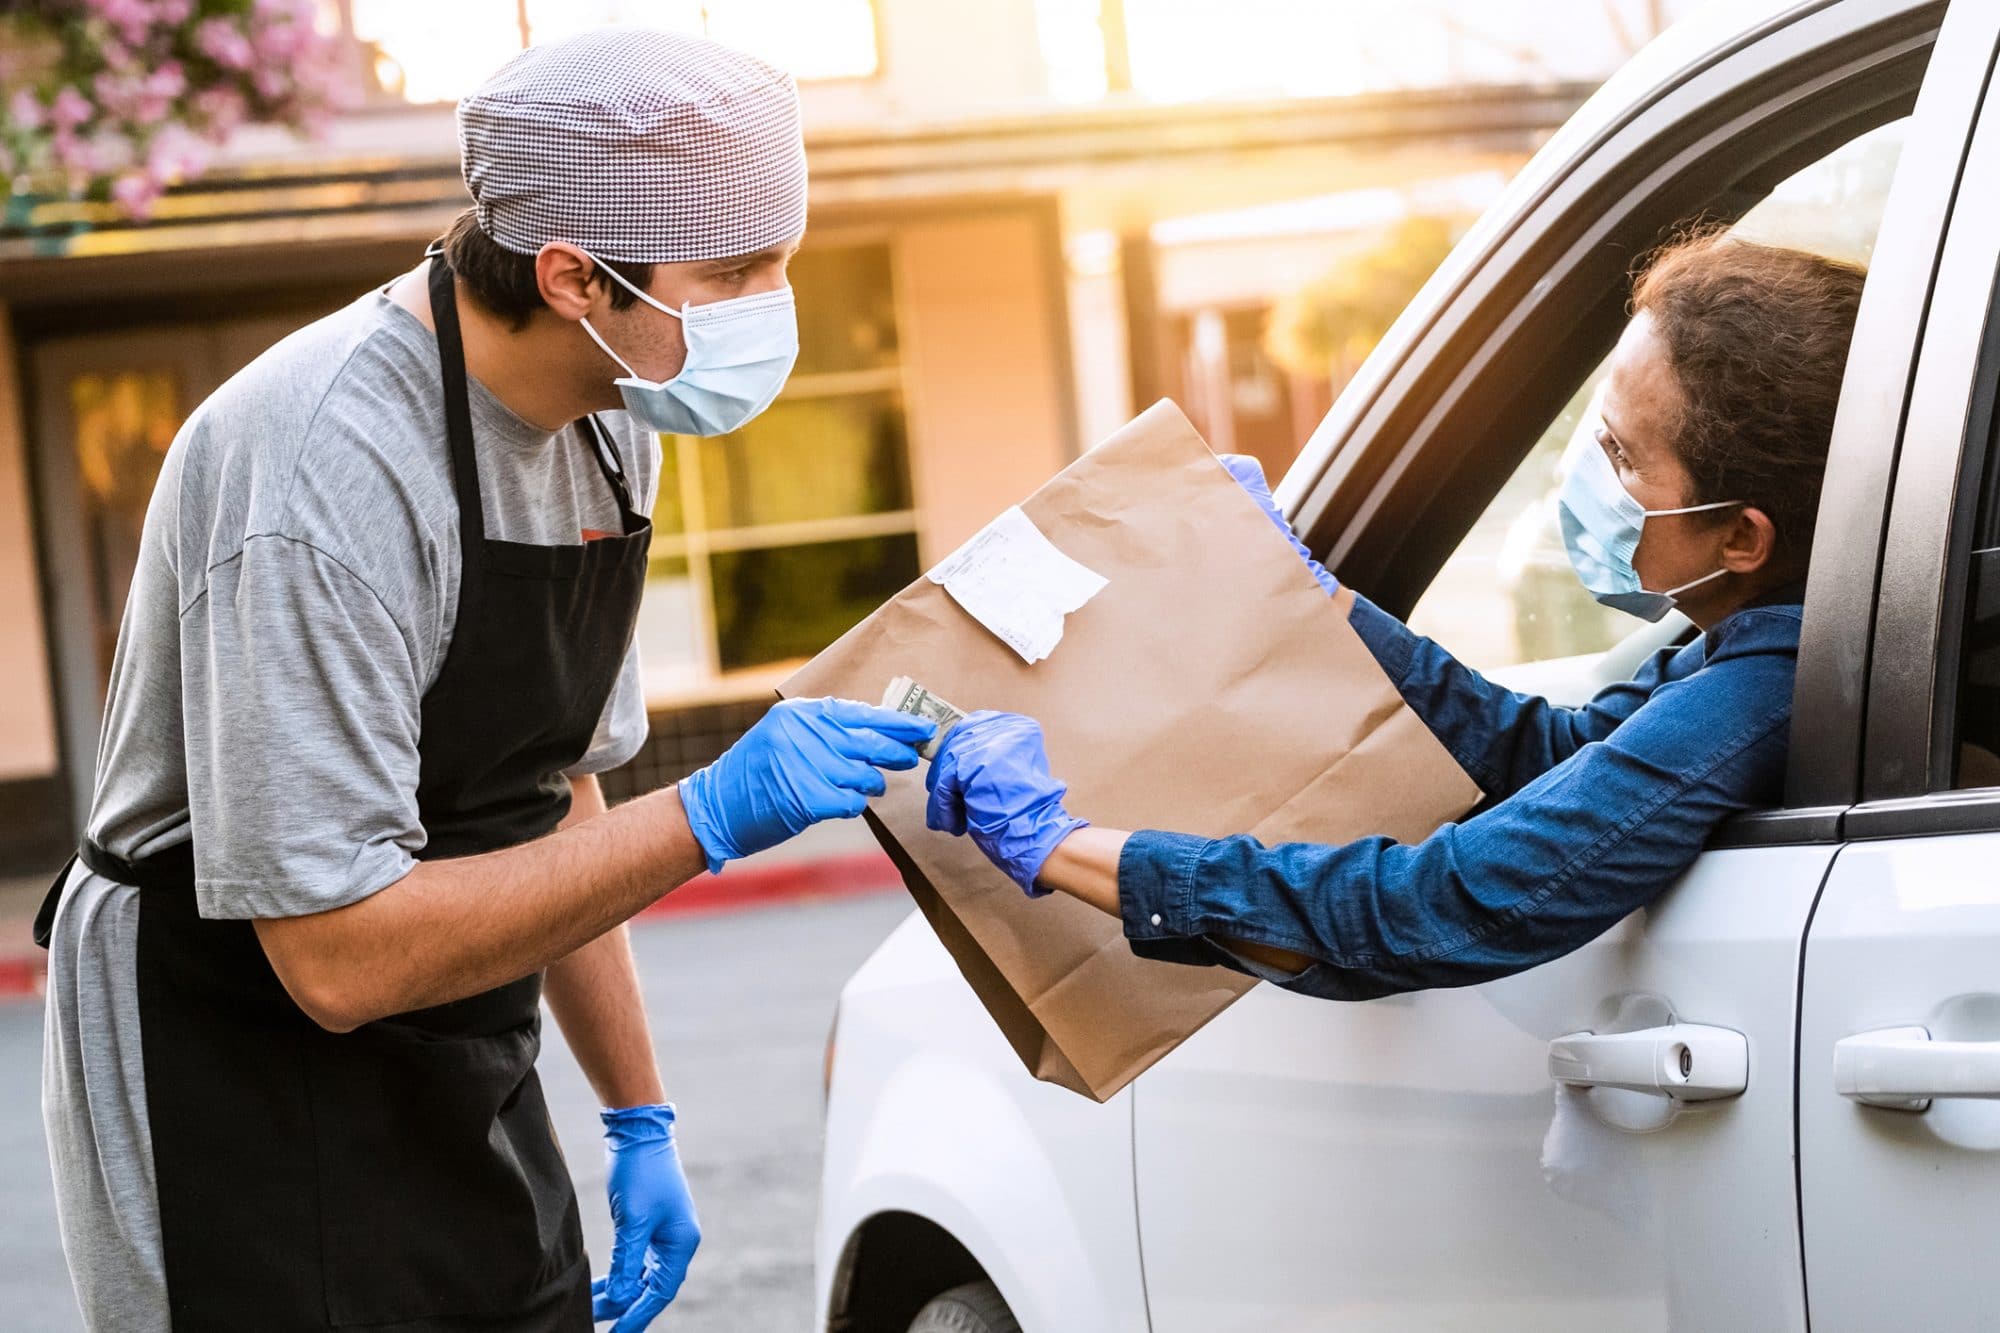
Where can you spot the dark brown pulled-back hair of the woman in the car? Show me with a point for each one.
(1759, 339)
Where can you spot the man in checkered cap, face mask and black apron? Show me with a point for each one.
(375, 653)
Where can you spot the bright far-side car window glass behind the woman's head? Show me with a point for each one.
(1507, 593)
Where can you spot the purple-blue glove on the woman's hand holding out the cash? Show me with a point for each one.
(991, 780)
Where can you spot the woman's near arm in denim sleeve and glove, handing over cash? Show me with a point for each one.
(1523, 884)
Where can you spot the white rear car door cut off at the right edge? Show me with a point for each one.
(1899, 1060)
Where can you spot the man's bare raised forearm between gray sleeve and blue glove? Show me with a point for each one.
(459, 928)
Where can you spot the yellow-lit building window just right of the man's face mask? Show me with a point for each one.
(773, 541)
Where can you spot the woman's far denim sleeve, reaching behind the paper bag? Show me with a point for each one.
(1501, 738)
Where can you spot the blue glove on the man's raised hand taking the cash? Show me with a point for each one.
(805, 762)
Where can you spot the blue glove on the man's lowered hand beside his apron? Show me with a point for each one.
(655, 1230)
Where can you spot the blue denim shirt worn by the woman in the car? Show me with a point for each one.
(1589, 814)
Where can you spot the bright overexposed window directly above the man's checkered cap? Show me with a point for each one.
(445, 49)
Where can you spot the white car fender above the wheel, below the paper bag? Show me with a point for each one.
(931, 1114)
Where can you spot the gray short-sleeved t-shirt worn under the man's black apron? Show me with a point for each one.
(295, 599)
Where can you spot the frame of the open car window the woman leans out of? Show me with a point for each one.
(1387, 489)
